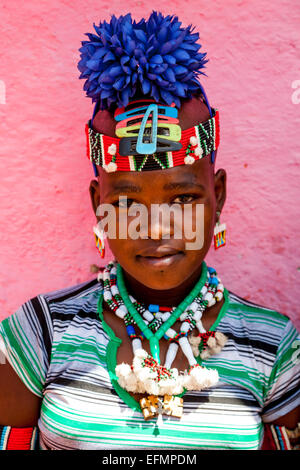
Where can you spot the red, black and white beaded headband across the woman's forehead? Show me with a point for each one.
(197, 142)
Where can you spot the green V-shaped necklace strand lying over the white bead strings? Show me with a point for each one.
(155, 337)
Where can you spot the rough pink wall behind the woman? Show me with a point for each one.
(46, 213)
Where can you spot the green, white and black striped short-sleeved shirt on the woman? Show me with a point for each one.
(58, 346)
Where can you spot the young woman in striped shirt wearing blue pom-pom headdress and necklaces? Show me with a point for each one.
(154, 352)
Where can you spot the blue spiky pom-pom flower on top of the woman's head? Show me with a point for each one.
(156, 57)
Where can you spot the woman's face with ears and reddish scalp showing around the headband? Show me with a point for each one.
(169, 249)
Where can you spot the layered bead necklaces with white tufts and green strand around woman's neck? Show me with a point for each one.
(146, 374)
